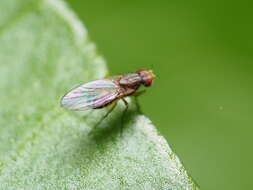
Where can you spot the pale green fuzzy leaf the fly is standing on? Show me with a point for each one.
(44, 52)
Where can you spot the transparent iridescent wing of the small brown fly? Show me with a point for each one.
(93, 94)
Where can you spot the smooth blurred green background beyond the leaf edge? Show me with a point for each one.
(202, 99)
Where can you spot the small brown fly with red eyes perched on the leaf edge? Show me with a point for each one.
(100, 93)
